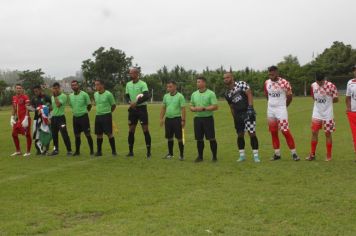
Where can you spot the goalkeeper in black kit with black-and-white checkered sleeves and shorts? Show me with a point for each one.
(240, 99)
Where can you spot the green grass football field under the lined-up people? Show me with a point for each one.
(120, 196)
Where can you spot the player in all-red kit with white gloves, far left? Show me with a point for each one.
(20, 120)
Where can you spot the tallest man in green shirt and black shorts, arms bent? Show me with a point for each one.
(137, 96)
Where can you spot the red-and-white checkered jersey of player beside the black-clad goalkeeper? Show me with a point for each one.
(277, 92)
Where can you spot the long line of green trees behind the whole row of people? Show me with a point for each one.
(112, 65)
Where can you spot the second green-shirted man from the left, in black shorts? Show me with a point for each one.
(80, 103)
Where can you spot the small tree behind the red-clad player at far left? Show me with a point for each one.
(31, 78)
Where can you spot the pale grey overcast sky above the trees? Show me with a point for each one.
(57, 35)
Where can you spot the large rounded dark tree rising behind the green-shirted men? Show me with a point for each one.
(110, 66)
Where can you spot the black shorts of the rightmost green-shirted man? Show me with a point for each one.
(204, 126)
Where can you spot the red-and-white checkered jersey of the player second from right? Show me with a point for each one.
(323, 100)
